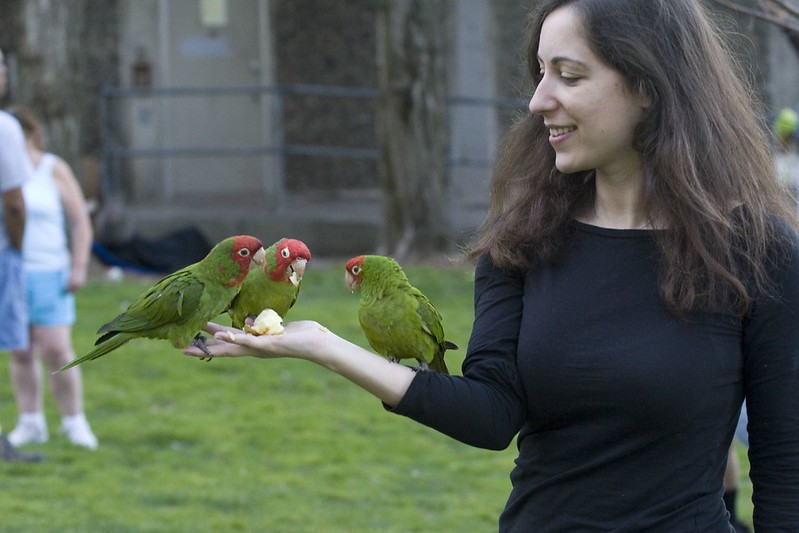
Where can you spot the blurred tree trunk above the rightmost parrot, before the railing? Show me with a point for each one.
(412, 126)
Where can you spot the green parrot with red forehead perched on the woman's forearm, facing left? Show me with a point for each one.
(397, 319)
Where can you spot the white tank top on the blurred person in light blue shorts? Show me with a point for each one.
(45, 244)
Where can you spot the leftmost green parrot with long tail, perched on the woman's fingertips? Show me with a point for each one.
(180, 304)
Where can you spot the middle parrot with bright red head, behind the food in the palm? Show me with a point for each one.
(275, 286)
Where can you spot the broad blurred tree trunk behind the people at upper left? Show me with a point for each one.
(64, 52)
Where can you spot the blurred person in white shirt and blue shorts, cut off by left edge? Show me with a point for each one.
(14, 172)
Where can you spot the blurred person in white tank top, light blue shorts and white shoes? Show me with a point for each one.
(55, 264)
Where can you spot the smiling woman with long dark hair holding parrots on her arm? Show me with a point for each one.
(638, 276)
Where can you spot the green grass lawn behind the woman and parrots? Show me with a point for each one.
(252, 445)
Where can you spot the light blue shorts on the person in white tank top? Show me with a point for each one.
(49, 303)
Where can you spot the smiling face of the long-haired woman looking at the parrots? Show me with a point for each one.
(590, 113)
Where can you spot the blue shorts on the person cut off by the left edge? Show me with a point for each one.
(13, 307)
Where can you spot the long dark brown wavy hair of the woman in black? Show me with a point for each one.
(709, 177)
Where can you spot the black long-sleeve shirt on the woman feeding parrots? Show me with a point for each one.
(624, 412)
